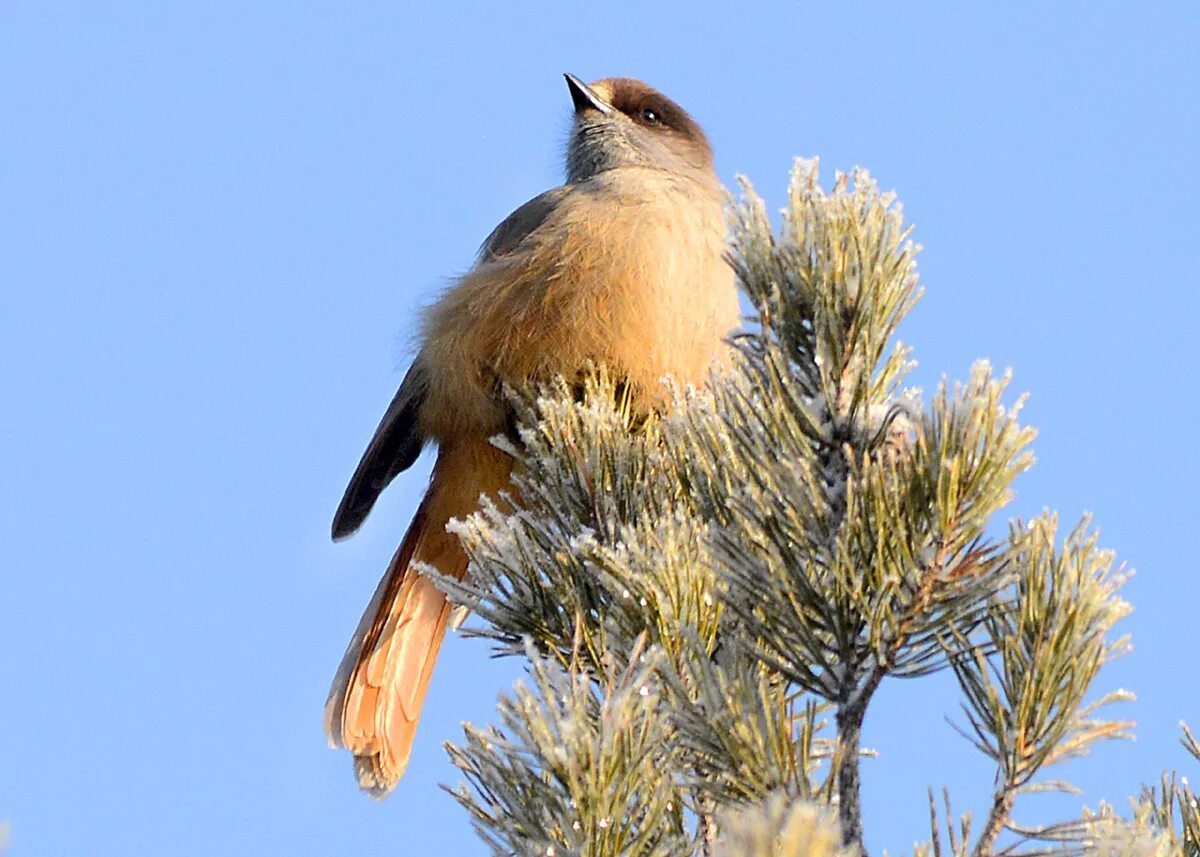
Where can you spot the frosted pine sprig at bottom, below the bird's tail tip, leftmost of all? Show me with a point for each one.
(579, 768)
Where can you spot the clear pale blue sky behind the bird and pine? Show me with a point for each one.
(217, 227)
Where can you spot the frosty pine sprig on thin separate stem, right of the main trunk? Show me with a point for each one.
(1027, 704)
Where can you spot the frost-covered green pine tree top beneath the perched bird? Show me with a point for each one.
(710, 600)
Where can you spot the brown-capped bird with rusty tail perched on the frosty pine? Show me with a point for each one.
(622, 267)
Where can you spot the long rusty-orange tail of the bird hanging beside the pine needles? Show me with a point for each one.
(377, 694)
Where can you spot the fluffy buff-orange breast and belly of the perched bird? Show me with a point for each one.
(628, 271)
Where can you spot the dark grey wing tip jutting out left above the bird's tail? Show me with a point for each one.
(394, 448)
